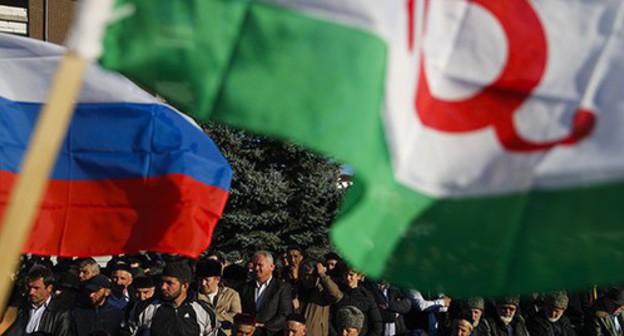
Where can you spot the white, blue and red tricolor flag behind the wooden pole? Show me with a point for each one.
(133, 174)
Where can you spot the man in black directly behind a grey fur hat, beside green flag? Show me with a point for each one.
(358, 297)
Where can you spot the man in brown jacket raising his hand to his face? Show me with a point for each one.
(317, 292)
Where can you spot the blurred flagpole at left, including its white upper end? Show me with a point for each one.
(84, 46)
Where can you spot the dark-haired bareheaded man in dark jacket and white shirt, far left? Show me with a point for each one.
(42, 314)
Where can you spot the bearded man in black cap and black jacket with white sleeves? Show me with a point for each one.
(177, 313)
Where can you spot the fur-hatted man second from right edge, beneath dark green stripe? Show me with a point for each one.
(550, 321)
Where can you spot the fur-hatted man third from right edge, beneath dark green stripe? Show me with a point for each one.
(507, 322)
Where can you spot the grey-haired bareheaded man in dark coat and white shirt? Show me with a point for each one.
(265, 297)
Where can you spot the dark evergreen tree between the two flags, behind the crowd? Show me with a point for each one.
(281, 194)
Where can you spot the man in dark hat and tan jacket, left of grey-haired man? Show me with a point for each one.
(224, 300)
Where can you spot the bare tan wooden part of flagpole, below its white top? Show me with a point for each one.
(37, 164)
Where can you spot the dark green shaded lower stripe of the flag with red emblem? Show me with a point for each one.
(522, 243)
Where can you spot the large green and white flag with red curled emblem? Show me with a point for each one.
(485, 134)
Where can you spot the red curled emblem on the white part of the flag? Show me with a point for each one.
(495, 104)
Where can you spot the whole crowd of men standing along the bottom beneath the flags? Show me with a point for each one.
(155, 294)
